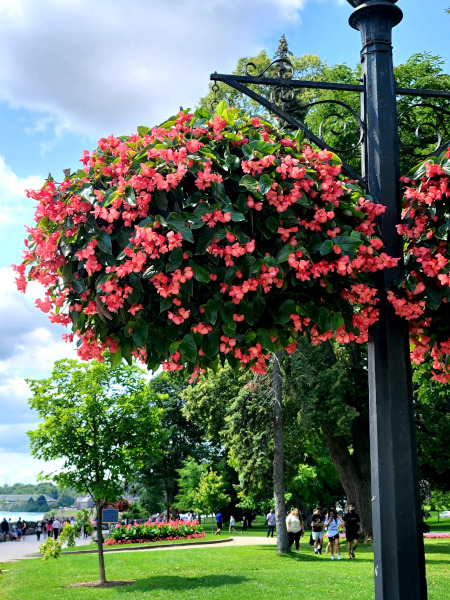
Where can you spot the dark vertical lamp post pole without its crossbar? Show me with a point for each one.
(397, 524)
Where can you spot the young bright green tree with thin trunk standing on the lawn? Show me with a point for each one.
(102, 423)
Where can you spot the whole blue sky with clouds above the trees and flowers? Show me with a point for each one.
(72, 71)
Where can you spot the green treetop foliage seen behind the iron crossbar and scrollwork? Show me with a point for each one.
(339, 128)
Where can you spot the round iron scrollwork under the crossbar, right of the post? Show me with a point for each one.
(430, 127)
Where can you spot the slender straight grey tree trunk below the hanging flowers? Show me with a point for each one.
(278, 458)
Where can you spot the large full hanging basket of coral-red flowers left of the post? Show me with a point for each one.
(208, 238)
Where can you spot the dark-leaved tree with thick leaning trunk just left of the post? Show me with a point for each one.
(329, 385)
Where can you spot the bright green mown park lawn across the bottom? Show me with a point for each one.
(224, 573)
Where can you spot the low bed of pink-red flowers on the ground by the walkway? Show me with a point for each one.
(155, 532)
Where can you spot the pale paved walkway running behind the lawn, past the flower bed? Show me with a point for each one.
(12, 551)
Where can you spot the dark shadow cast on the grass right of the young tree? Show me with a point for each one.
(182, 583)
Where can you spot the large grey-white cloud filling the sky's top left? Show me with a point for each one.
(107, 66)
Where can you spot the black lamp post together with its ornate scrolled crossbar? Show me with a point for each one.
(399, 562)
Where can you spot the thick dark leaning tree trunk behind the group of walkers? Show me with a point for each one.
(355, 482)
